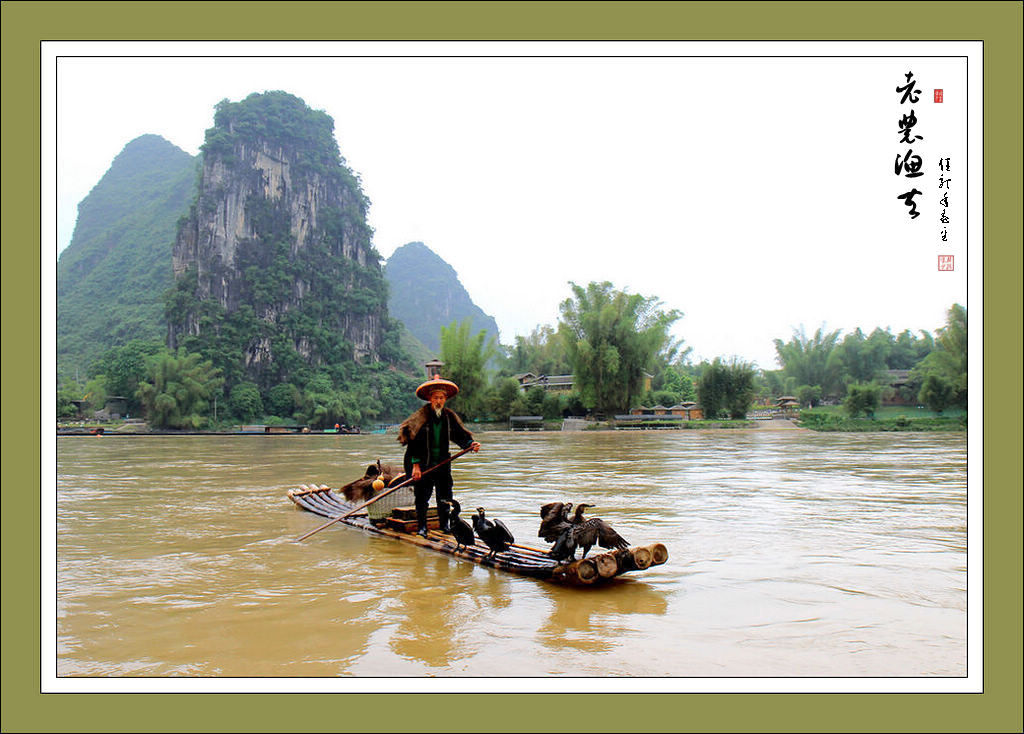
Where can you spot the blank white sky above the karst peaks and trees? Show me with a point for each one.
(755, 195)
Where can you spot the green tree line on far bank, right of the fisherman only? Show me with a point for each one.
(614, 342)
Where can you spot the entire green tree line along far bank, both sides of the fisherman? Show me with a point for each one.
(617, 346)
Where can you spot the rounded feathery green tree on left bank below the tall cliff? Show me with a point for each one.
(179, 390)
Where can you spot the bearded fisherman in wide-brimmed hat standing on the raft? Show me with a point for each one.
(426, 436)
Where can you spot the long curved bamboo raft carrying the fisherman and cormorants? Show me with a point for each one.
(523, 560)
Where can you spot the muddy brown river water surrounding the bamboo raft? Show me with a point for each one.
(791, 554)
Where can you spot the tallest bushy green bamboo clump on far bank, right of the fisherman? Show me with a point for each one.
(612, 338)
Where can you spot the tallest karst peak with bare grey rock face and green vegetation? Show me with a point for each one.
(276, 254)
